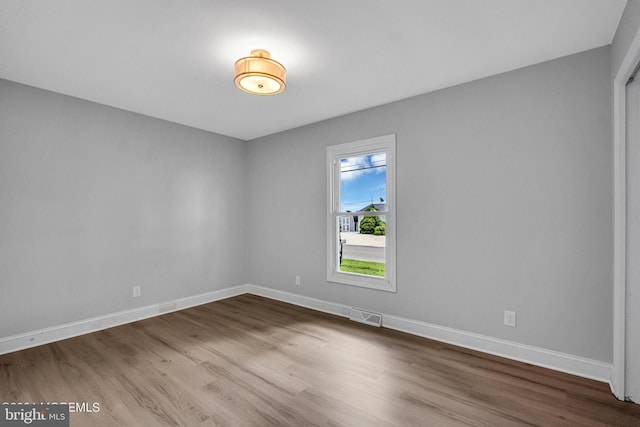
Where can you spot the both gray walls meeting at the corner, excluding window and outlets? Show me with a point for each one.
(504, 202)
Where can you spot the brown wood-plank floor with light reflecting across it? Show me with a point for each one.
(250, 361)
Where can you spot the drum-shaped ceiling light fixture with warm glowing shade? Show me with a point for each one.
(259, 74)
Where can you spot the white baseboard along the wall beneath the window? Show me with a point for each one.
(576, 365)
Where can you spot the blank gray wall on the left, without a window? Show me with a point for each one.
(95, 200)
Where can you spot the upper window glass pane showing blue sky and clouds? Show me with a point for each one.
(363, 182)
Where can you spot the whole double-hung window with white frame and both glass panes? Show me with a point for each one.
(361, 213)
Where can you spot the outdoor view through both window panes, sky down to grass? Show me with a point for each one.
(362, 233)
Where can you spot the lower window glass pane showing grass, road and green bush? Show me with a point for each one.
(361, 252)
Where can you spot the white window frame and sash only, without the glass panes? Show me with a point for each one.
(386, 144)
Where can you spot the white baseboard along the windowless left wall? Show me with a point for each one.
(74, 329)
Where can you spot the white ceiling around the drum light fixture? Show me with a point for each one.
(173, 59)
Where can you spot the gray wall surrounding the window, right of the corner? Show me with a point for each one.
(504, 202)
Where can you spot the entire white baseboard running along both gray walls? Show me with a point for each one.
(576, 365)
